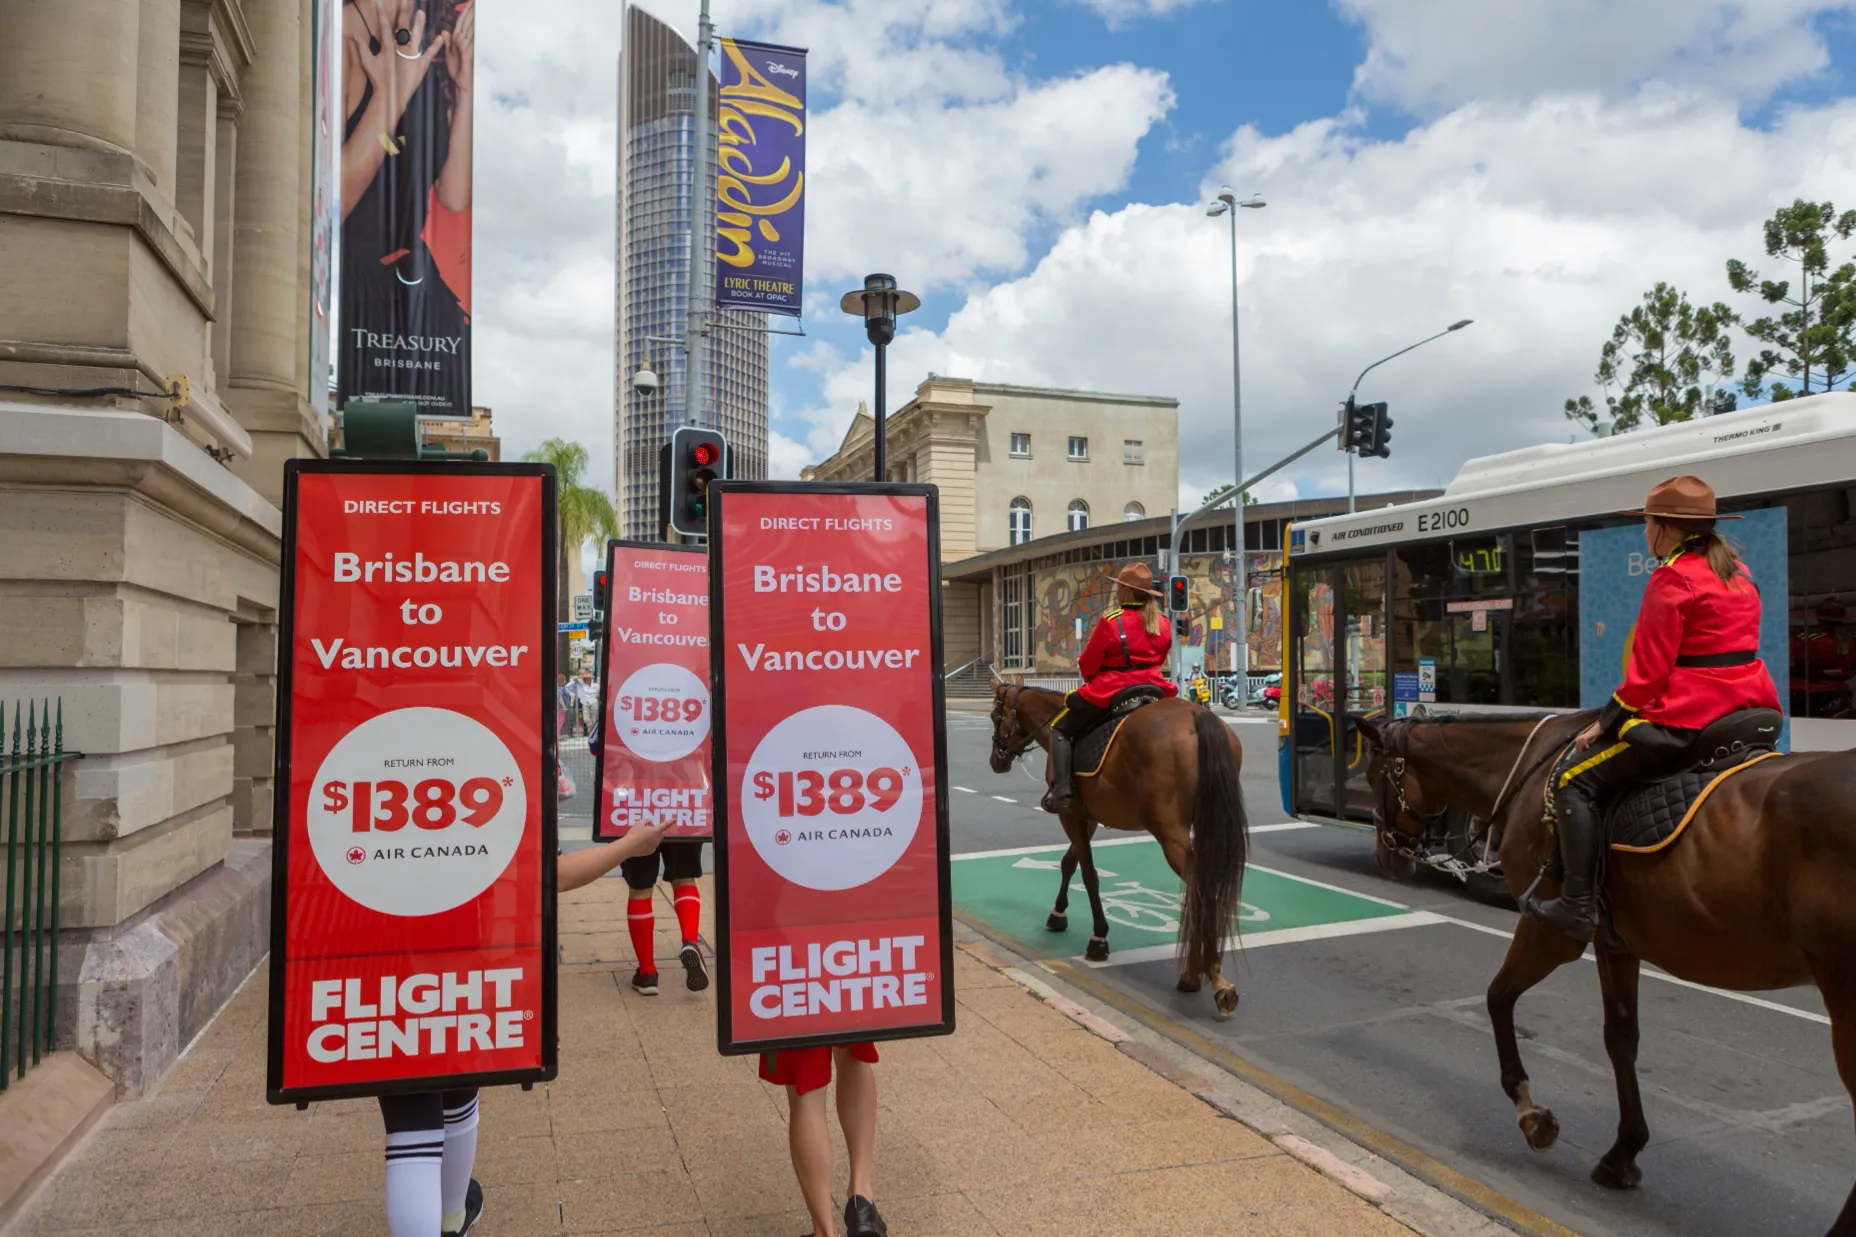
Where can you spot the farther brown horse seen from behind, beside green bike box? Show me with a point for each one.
(1172, 772)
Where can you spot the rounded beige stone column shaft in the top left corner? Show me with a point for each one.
(68, 73)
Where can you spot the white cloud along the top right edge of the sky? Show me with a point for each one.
(1434, 55)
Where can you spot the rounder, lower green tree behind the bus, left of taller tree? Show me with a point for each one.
(1656, 363)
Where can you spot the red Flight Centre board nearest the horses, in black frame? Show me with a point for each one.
(834, 917)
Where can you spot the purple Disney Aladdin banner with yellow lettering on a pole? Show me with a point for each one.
(760, 183)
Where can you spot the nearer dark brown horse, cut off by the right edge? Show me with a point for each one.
(1755, 894)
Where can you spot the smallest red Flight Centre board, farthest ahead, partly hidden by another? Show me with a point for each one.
(654, 692)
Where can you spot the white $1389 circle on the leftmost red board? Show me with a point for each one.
(443, 818)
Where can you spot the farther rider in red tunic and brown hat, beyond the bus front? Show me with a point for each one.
(1128, 649)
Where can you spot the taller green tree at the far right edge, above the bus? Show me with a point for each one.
(1814, 333)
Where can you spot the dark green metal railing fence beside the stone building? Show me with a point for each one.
(32, 818)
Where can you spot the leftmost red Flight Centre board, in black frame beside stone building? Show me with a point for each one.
(413, 915)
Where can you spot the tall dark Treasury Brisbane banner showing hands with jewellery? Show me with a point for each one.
(407, 203)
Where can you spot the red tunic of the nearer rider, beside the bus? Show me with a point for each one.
(1686, 621)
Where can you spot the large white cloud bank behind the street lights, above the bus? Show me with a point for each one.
(1541, 222)
